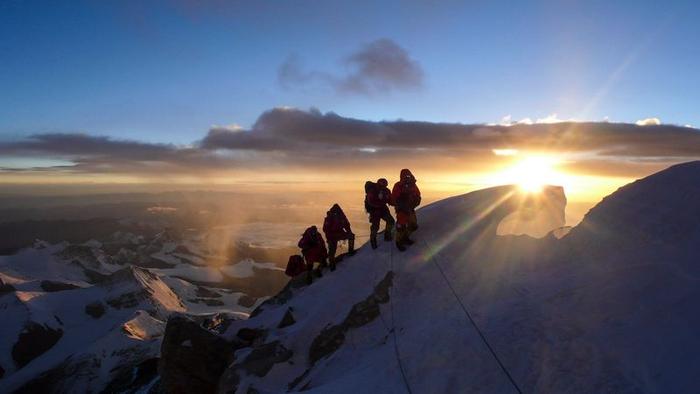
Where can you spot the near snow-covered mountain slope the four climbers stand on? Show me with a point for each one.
(608, 307)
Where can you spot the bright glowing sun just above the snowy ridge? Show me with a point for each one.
(532, 173)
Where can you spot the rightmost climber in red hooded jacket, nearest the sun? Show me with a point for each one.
(406, 197)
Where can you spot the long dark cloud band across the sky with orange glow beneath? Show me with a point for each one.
(285, 139)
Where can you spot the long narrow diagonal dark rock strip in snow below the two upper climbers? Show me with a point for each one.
(332, 337)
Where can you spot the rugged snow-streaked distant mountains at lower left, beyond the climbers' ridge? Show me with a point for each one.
(90, 317)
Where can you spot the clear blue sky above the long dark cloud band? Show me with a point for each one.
(169, 70)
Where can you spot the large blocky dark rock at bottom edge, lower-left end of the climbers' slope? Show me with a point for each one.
(193, 368)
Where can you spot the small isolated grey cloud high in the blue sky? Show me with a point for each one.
(378, 67)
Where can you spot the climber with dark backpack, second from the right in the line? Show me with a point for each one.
(377, 196)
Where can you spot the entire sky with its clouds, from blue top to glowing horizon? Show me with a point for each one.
(118, 91)
